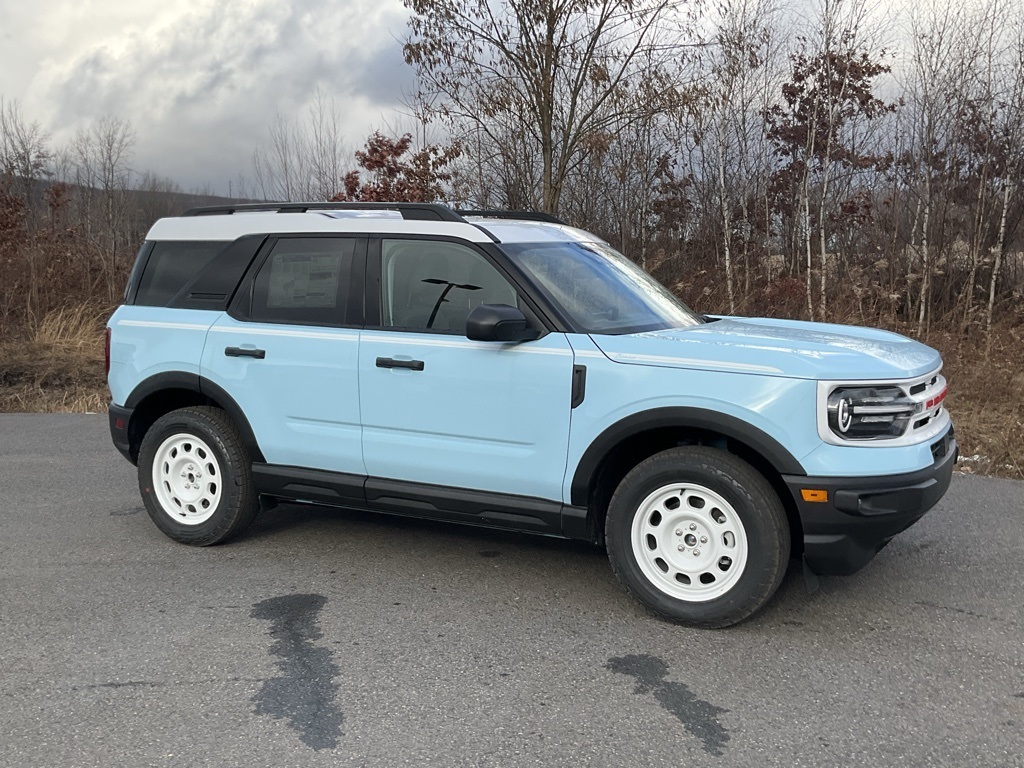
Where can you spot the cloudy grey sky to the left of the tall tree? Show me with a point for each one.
(201, 80)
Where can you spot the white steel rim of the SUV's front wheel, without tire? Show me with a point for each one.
(690, 542)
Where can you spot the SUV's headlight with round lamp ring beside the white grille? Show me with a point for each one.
(870, 413)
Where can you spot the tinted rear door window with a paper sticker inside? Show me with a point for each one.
(305, 281)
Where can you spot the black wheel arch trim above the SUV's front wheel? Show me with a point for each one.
(684, 418)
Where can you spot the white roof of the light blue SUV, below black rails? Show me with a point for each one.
(232, 227)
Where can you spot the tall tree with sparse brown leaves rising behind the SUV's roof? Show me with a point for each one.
(534, 82)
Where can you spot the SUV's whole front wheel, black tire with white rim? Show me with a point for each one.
(684, 590)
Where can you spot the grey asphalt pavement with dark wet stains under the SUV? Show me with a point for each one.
(336, 638)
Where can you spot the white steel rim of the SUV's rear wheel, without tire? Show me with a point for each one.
(187, 480)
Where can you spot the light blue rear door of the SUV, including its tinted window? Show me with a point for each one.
(288, 352)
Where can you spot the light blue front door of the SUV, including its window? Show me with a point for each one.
(442, 410)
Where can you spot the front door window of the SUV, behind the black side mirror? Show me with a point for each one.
(434, 285)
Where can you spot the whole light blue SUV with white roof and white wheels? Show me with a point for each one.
(506, 370)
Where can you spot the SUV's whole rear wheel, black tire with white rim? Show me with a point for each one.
(223, 482)
